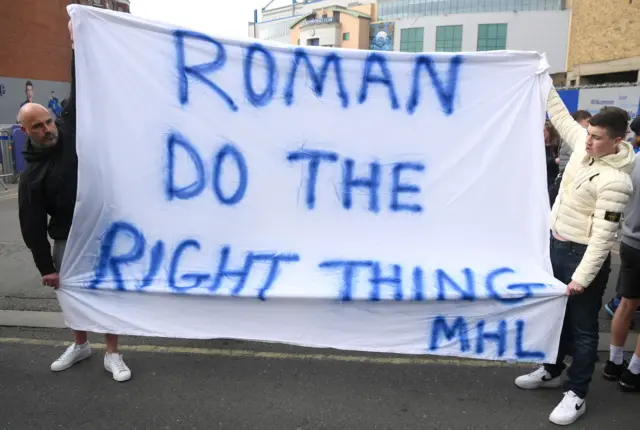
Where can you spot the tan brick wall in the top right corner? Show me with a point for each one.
(603, 30)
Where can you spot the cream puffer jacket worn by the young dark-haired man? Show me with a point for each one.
(593, 193)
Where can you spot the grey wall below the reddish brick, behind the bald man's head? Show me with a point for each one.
(13, 95)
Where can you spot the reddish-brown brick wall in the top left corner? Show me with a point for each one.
(35, 40)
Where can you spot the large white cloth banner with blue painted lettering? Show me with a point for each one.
(358, 200)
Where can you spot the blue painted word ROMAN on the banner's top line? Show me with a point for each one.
(375, 71)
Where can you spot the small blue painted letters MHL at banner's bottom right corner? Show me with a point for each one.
(460, 328)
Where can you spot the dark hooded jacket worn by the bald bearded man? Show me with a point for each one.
(48, 187)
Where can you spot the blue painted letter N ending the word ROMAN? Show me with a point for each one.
(447, 95)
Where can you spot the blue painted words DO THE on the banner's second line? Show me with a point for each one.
(229, 156)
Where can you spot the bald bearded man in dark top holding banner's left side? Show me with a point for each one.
(48, 189)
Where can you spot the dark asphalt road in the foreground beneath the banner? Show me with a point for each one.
(174, 389)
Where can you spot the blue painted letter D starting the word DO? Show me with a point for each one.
(188, 191)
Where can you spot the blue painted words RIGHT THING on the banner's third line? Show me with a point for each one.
(446, 286)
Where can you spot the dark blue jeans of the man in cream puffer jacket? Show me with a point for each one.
(579, 336)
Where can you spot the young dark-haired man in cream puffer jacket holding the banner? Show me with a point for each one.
(584, 220)
